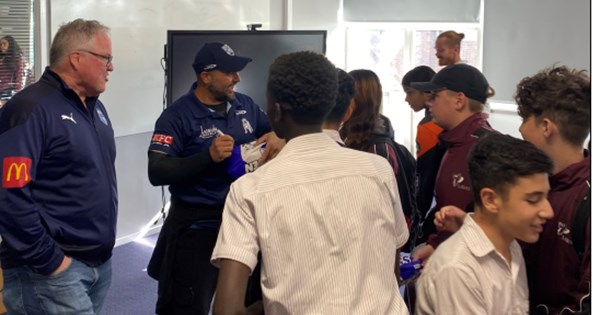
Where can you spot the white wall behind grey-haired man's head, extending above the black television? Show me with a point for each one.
(139, 33)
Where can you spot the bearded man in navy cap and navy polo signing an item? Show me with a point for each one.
(189, 151)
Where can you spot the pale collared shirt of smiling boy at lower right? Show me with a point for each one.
(466, 275)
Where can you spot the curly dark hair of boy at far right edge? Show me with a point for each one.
(561, 94)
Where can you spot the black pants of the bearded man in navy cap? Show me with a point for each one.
(181, 262)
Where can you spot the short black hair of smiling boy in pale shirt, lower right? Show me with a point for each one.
(497, 161)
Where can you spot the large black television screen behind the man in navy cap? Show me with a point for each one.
(262, 46)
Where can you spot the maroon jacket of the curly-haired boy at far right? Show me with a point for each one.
(559, 278)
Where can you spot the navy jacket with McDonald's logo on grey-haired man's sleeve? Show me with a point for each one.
(59, 188)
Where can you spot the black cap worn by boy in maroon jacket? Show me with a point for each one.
(458, 78)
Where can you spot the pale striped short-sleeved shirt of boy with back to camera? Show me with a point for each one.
(327, 221)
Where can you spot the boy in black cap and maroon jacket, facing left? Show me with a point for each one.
(457, 95)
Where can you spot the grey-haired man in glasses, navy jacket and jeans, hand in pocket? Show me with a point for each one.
(58, 199)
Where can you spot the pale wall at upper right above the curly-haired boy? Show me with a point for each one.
(522, 37)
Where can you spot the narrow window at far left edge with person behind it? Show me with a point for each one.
(16, 70)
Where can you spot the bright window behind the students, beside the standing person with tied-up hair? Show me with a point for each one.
(391, 50)
